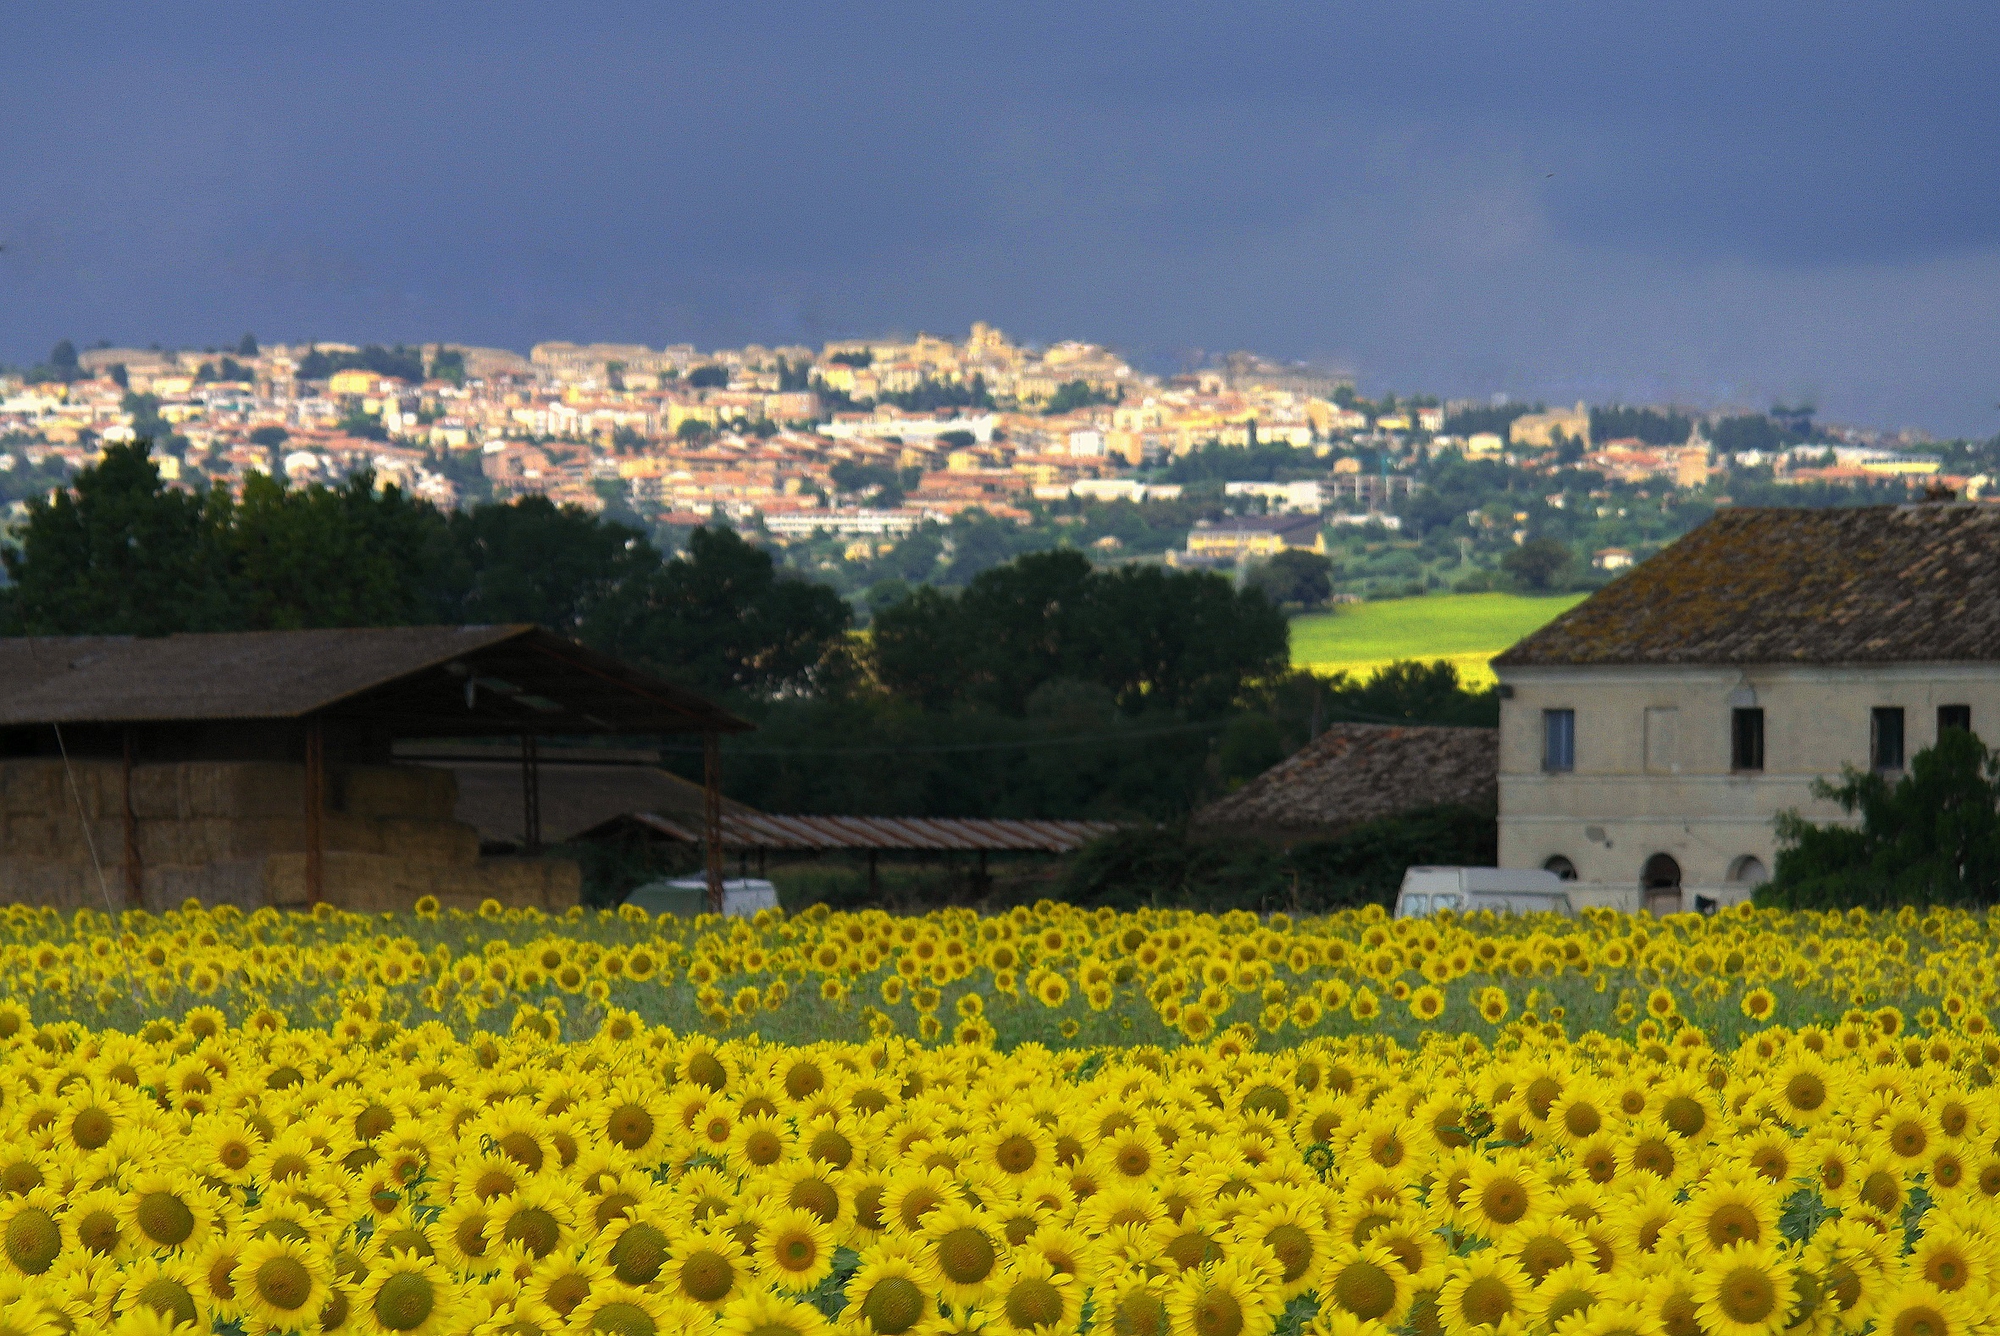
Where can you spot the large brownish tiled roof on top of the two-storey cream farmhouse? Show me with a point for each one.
(1857, 585)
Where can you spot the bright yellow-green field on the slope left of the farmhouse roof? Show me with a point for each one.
(1467, 629)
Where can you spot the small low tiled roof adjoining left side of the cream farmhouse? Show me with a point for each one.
(1359, 773)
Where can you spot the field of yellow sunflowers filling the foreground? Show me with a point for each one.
(1049, 1121)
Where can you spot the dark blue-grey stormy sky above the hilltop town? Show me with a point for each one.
(1715, 205)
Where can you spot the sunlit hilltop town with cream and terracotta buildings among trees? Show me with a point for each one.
(871, 461)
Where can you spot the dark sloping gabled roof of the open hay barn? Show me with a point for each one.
(407, 681)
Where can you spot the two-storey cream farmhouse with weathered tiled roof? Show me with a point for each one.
(1651, 735)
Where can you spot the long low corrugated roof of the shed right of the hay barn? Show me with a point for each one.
(895, 833)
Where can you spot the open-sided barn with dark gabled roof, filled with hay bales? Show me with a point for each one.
(261, 767)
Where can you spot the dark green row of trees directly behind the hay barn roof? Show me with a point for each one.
(121, 553)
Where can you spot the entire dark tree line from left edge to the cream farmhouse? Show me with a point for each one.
(1045, 687)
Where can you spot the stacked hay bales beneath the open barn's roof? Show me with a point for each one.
(235, 833)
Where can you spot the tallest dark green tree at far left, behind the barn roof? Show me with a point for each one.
(119, 555)
